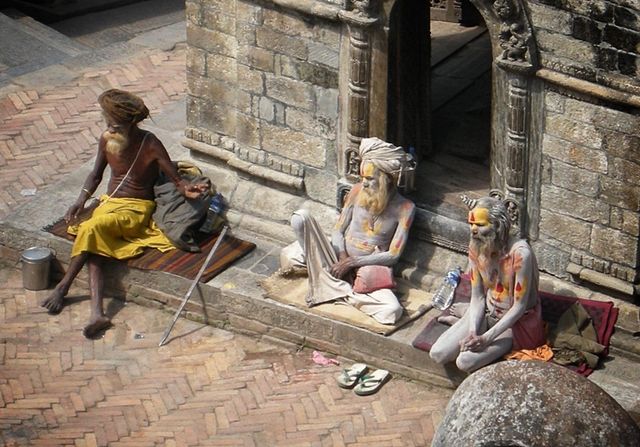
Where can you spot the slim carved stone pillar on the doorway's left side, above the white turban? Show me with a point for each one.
(358, 95)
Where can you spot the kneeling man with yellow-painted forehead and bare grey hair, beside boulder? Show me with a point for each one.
(504, 313)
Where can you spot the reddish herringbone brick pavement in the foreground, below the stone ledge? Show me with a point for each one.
(205, 387)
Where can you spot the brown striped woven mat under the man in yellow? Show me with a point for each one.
(181, 262)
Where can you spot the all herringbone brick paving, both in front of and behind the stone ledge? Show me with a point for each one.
(206, 387)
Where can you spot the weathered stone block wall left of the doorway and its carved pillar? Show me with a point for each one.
(265, 76)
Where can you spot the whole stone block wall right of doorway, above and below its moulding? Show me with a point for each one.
(590, 187)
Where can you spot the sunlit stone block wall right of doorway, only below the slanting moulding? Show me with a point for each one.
(590, 197)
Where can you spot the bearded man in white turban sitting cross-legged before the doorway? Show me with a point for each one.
(355, 264)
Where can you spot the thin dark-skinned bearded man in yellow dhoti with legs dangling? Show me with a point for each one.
(121, 226)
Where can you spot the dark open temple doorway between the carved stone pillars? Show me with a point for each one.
(457, 157)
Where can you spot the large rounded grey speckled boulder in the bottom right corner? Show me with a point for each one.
(530, 403)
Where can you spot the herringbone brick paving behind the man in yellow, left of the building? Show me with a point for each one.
(47, 132)
